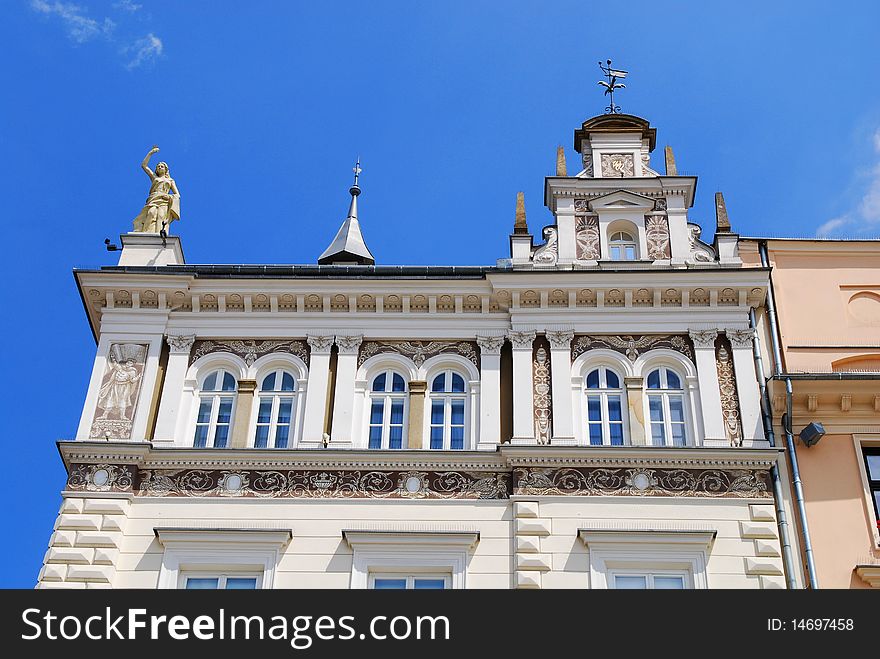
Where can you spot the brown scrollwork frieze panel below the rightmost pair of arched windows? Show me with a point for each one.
(600, 481)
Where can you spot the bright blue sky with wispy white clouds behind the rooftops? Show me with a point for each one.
(261, 108)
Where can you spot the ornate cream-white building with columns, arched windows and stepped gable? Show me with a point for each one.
(584, 414)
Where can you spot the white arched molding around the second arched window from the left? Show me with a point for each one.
(258, 371)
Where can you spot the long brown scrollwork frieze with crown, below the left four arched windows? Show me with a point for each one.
(324, 484)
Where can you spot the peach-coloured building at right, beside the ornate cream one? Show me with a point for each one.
(827, 299)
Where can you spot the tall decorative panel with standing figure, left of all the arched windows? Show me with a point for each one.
(120, 389)
